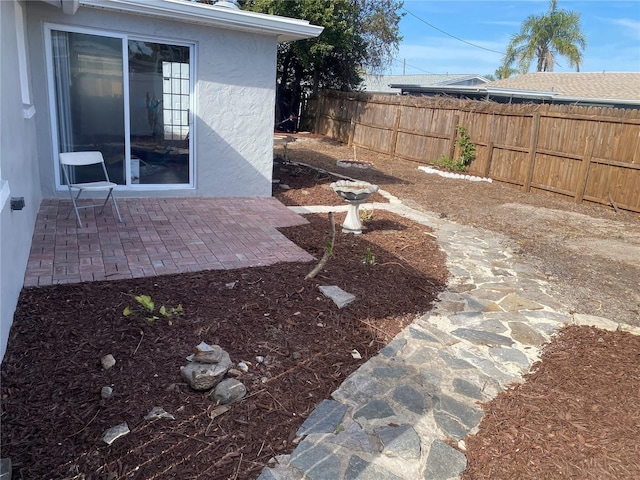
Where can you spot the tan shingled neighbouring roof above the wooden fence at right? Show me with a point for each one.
(610, 85)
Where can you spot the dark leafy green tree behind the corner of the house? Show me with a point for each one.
(358, 36)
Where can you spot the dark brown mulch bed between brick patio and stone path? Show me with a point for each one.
(53, 416)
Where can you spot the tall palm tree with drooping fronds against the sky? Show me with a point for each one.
(544, 37)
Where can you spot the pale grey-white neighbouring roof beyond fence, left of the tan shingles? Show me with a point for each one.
(382, 83)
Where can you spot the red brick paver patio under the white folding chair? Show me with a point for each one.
(159, 236)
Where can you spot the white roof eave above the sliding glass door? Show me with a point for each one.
(285, 29)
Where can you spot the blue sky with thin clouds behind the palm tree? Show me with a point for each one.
(611, 28)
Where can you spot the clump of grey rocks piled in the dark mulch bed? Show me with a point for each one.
(209, 368)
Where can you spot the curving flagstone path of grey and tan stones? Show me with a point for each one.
(424, 387)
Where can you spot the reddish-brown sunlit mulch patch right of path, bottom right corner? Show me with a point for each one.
(575, 417)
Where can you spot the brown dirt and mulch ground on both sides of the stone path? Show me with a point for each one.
(575, 417)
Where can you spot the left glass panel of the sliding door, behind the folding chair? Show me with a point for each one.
(88, 80)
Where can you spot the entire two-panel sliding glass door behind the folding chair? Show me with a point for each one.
(129, 99)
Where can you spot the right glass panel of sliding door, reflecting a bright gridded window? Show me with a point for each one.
(159, 104)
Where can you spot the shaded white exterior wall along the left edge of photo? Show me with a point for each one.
(18, 169)
